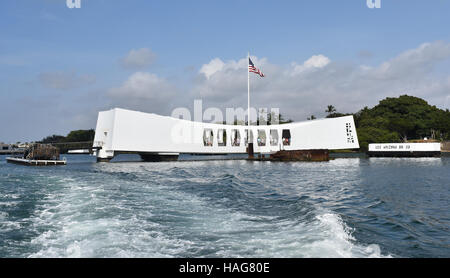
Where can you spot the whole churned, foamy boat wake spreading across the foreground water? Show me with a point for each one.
(183, 215)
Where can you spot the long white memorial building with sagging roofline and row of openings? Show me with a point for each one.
(134, 131)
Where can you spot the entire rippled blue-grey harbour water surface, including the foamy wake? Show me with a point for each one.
(352, 207)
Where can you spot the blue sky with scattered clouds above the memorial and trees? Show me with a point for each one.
(59, 66)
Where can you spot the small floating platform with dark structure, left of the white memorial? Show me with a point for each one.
(37, 155)
